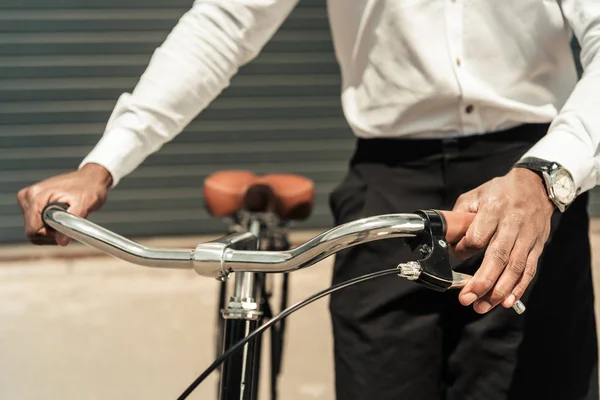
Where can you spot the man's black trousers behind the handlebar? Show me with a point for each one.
(394, 339)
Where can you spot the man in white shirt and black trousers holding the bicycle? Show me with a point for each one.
(445, 97)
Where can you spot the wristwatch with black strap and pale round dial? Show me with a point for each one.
(559, 182)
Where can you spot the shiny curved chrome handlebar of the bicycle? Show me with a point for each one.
(233, 253)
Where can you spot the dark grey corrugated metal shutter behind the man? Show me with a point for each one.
(64, 63)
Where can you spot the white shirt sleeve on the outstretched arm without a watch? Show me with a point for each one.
(185, 74)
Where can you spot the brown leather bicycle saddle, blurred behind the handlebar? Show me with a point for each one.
(287, 195)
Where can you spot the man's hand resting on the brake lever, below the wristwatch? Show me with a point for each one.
(513, 222)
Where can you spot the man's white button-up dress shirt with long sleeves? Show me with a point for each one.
(410, 68)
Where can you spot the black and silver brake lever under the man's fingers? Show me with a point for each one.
(435, 271)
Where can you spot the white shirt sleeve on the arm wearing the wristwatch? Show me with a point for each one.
(573, 139)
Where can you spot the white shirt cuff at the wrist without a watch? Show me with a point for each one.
(118, 151)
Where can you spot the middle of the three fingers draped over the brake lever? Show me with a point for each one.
(510, 276)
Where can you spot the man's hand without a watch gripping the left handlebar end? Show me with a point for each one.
(84, 190)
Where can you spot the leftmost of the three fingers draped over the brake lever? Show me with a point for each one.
(495, 260)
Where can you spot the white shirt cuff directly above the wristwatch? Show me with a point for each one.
(571, 153)
